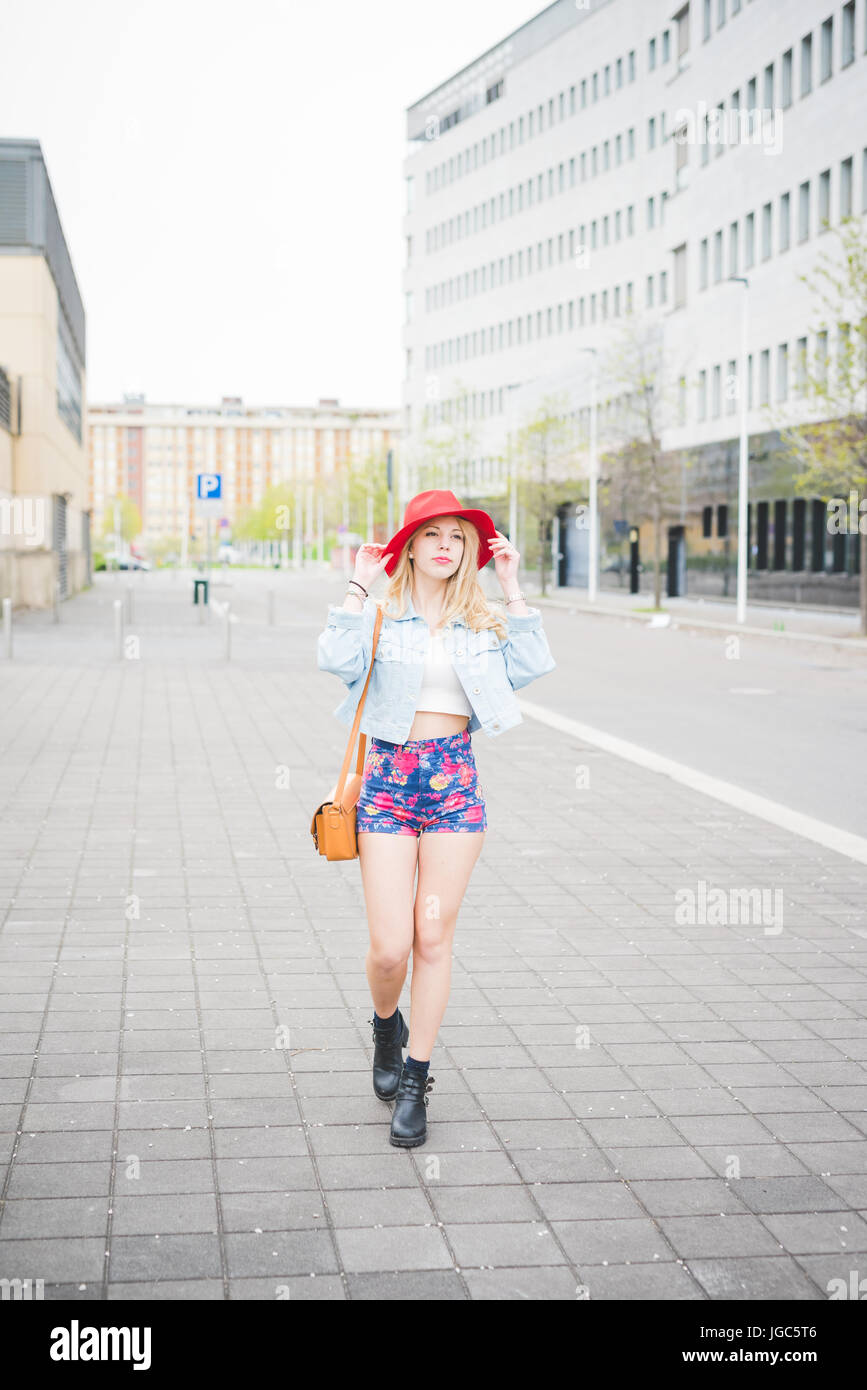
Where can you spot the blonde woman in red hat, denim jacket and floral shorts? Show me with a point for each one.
(447, 665)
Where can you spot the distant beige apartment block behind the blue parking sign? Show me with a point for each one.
(152, 454)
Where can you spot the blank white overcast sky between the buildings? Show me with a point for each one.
(230, 180)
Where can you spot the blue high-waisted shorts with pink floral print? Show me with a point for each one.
(430, 785)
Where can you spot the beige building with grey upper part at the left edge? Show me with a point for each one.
(45, 525)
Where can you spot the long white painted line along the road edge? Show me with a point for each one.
(843, 842)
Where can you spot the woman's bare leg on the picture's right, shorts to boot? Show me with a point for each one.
(445, 864)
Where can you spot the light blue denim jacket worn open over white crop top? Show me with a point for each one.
(490, 671)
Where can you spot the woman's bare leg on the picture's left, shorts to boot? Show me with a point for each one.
(388, 871)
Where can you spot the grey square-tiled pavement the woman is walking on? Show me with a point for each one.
(626, 1106)
